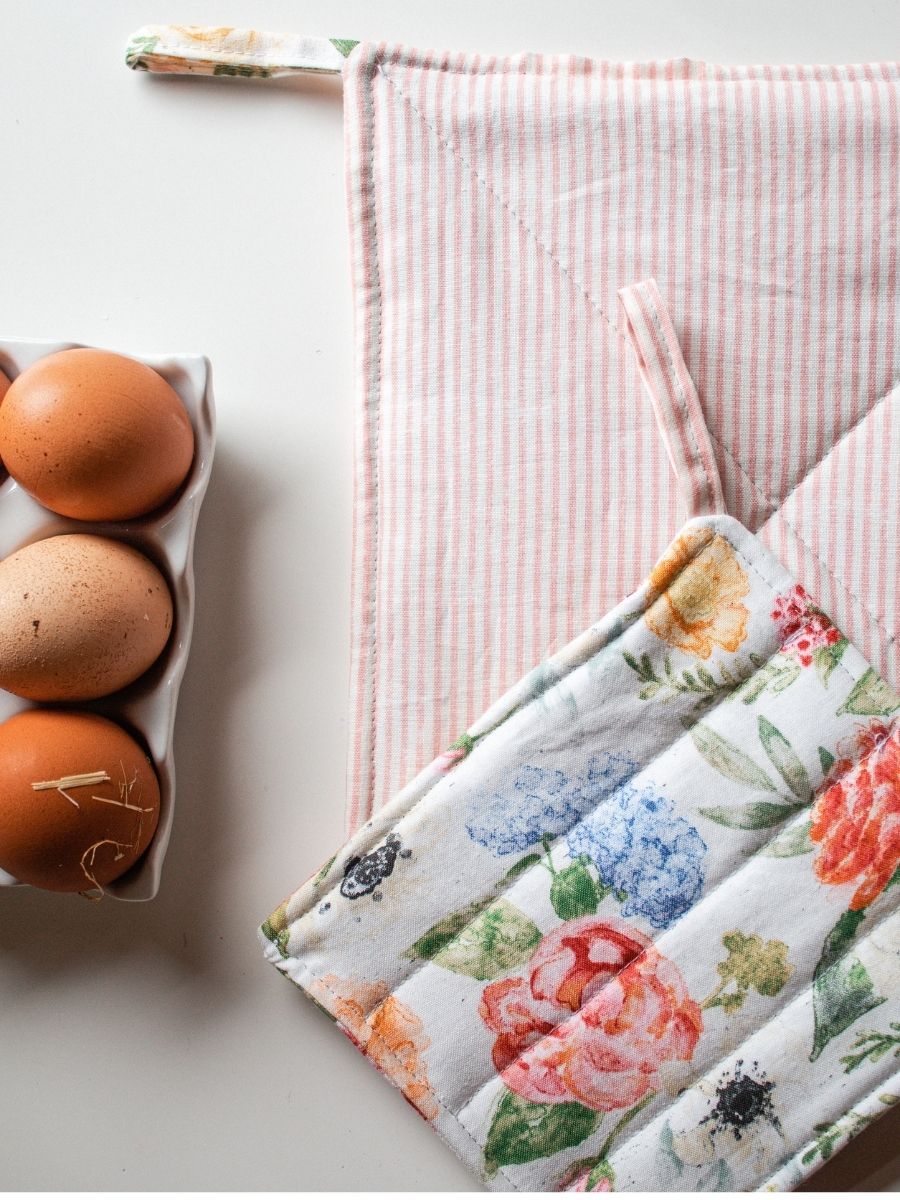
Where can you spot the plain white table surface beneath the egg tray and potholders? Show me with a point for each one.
(148, 1047)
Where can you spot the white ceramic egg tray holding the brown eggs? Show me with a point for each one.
(147, 709)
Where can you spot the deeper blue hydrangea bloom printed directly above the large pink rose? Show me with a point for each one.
(643, 849)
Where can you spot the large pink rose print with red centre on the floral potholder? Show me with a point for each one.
(596, 1015)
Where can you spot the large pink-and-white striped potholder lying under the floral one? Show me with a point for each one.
(511, 482)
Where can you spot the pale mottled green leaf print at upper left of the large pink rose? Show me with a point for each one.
(481, 943)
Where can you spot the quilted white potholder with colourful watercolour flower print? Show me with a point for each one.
(638, 929)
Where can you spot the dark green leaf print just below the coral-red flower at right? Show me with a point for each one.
(843, 991)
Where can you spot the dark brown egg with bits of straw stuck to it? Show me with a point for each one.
(80, 800)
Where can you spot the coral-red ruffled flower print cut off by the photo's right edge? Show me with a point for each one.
(856, 819)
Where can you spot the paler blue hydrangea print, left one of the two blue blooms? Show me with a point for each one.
(544, 803)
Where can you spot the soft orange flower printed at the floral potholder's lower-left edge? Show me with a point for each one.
(386, 1031)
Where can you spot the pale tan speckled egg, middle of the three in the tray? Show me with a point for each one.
(81, 617)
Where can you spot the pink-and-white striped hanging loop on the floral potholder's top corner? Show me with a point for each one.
(676, 404)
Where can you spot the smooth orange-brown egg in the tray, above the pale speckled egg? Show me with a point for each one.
(95, 436)
